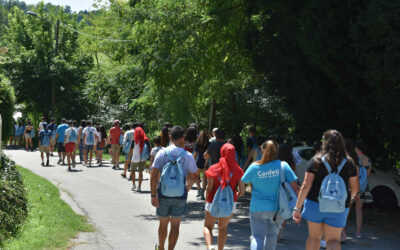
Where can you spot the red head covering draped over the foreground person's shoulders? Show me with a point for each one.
(227, 165)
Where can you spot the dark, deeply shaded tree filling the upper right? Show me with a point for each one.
(335, 65)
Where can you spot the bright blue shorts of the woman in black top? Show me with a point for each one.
(311, 213)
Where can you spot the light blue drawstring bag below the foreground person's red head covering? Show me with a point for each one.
(222, 204)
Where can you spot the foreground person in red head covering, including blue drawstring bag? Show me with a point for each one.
(224, 181)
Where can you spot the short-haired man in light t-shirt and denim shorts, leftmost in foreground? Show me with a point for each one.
(171, 208)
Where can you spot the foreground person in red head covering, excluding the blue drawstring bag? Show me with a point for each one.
(225, 174)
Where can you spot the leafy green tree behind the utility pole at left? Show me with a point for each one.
(31, 65)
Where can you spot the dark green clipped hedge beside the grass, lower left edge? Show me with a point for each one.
(13, 203)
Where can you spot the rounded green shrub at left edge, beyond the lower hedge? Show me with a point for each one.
(7, 102)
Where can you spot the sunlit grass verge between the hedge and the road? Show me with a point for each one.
(50, 222)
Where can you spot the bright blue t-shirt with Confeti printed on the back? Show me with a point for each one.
(266, 181)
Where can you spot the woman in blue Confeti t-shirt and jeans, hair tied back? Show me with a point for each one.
(265, 177)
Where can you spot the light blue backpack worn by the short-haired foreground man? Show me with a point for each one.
(172, 181)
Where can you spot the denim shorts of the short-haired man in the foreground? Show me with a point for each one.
(171, 207)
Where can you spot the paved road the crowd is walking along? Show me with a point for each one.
(126, 220)
